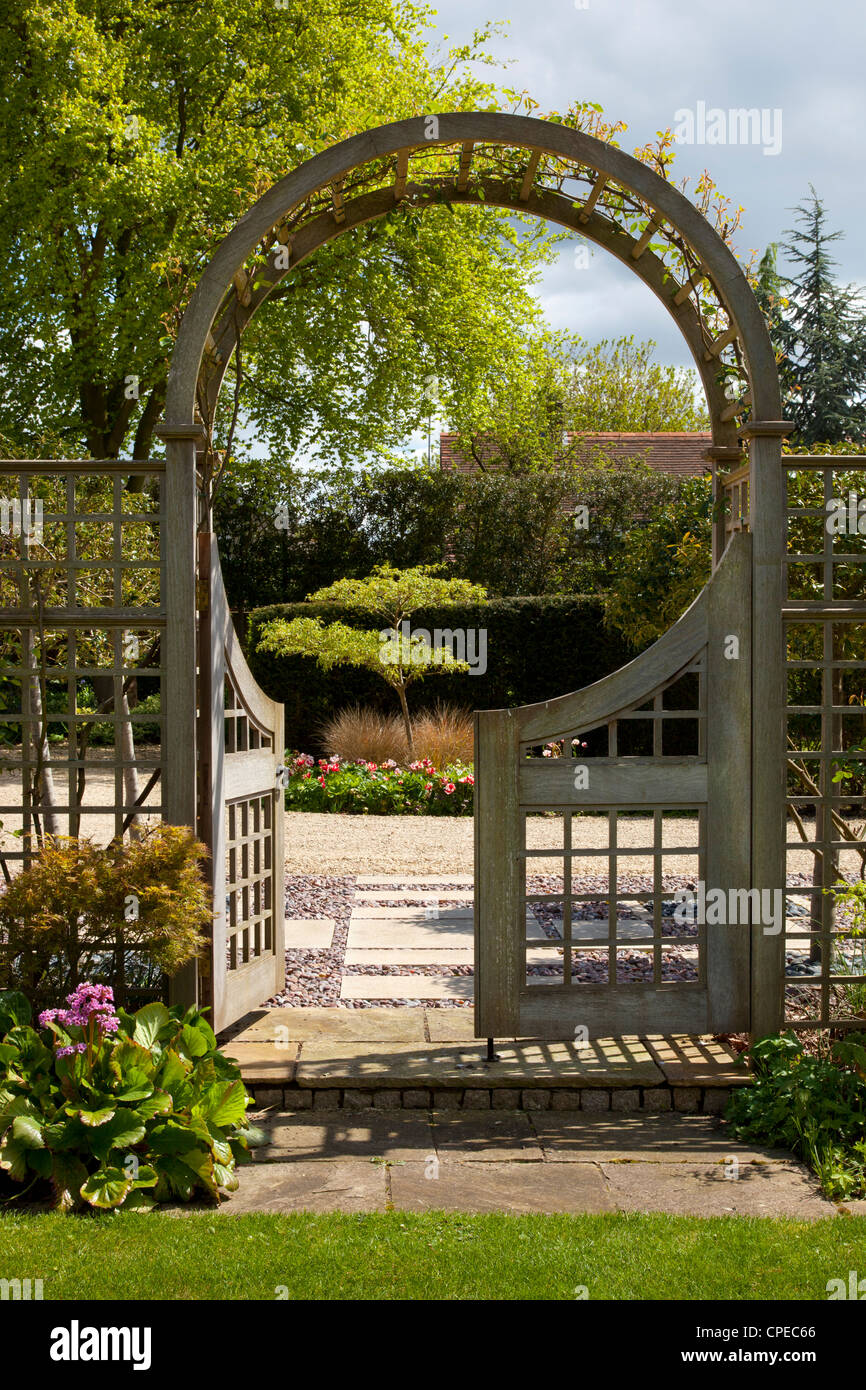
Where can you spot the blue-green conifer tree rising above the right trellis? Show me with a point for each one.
(821, 334)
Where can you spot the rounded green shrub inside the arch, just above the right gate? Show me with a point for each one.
(664, 568)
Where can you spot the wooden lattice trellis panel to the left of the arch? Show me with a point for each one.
(81, 623)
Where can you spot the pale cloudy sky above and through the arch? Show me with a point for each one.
(648, 60)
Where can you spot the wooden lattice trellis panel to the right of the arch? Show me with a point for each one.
(826, 661)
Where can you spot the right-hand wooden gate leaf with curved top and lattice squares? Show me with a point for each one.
(550, 960)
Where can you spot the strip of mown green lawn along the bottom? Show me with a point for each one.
(401, 1256)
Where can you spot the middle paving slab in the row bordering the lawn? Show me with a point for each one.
(500, 1188)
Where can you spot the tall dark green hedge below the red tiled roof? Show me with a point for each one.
(512, 533)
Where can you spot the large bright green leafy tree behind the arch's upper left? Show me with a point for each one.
(134, 137)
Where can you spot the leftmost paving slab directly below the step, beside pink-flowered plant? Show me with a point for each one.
(397, 1135)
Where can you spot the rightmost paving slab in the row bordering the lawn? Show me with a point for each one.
(703, 1191)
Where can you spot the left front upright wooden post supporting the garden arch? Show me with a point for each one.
(179, 755)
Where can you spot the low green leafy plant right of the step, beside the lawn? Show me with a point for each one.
(814, 1106)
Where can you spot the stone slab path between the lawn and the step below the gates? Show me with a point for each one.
(521, 1163)
